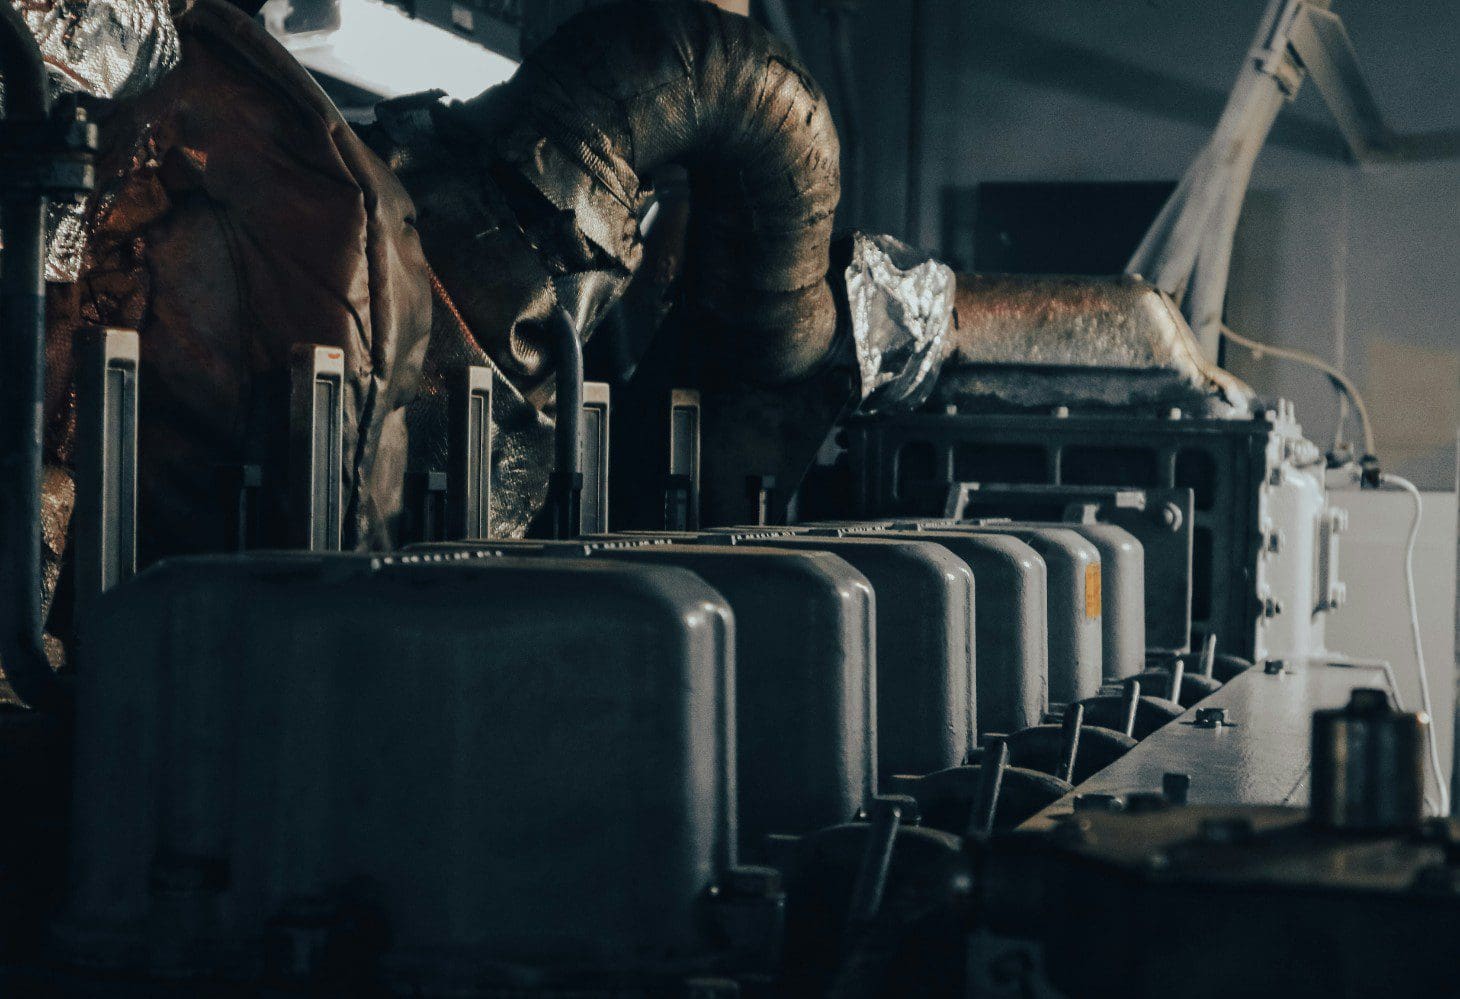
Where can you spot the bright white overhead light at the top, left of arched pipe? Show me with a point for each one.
(380, 49)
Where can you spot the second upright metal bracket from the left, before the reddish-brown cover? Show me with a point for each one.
(316, 446)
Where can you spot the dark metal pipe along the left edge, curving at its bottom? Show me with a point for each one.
(23, 373)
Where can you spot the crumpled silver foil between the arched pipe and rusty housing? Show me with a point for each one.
(902, 309)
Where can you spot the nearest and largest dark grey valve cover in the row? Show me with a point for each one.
(515, 762)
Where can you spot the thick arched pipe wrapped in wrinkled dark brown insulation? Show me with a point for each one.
(572, 142)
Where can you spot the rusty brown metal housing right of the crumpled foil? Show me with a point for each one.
(1104, 342)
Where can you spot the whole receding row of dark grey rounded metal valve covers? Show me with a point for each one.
(544, 754)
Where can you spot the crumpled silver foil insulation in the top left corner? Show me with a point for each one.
(104, 49)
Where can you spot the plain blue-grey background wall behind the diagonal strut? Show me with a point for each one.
(1357, 265)
